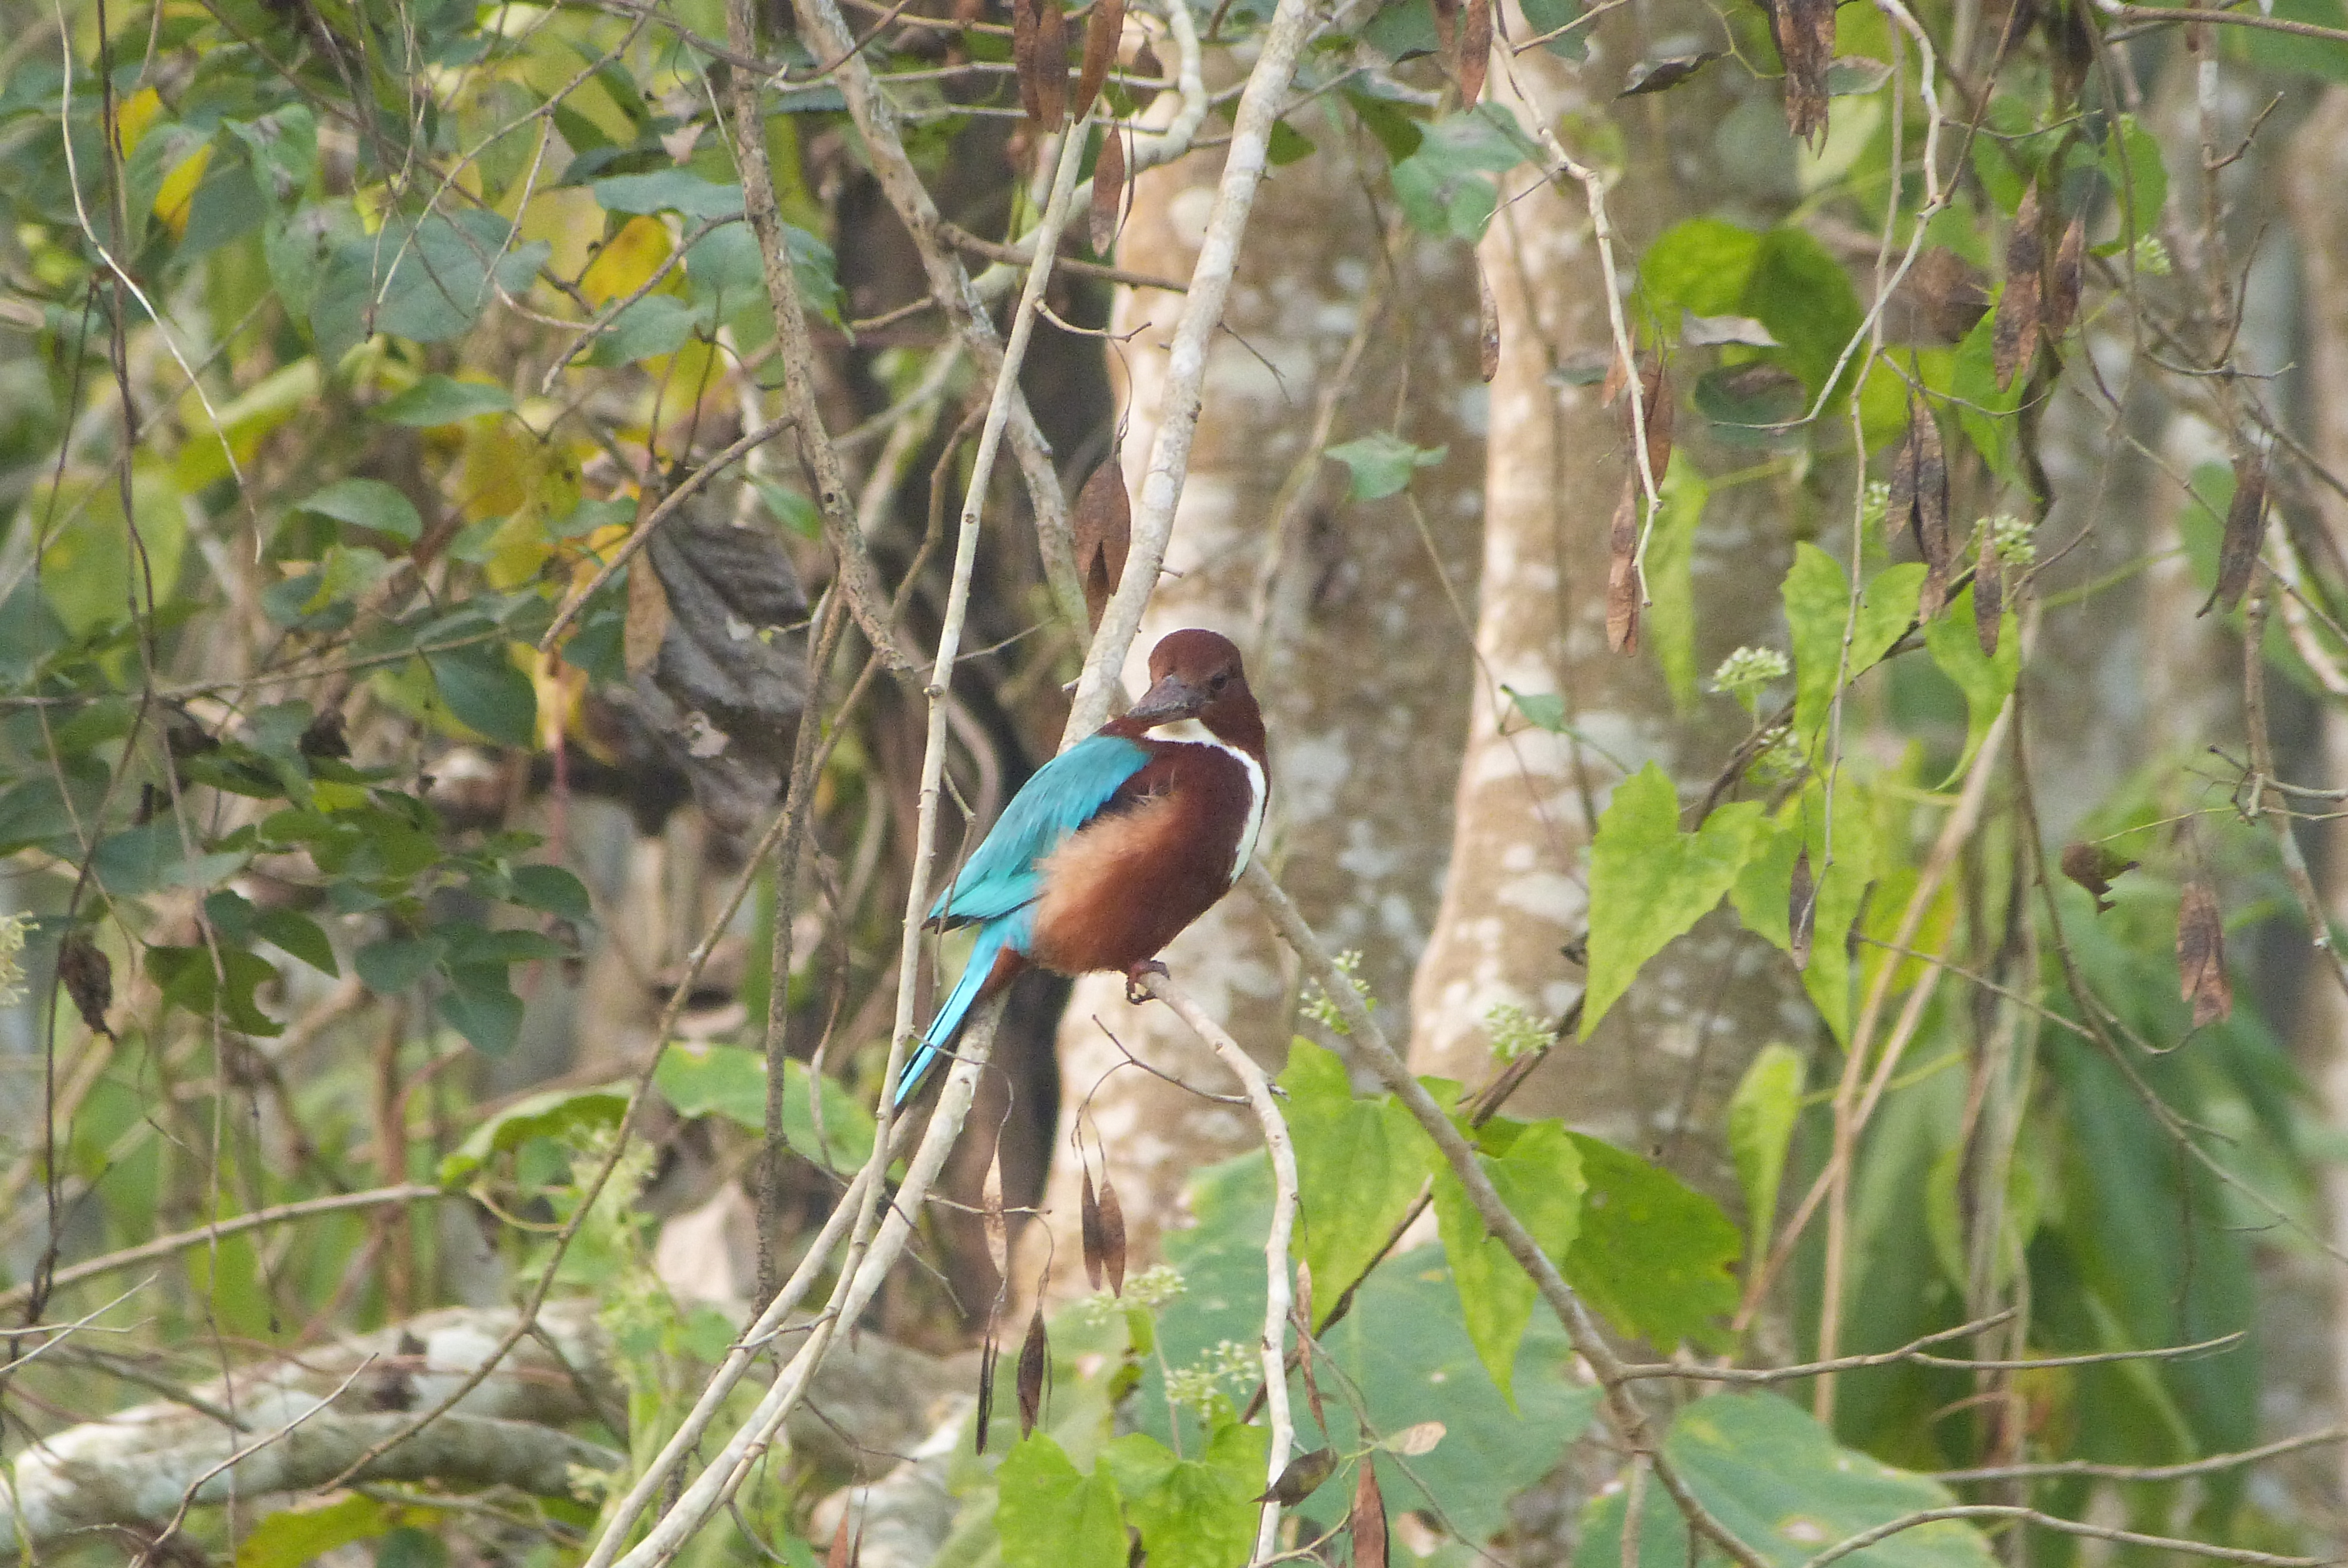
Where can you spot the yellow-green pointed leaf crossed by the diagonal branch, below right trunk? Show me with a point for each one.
(1539, 1177)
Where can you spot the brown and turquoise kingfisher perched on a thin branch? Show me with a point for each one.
(1119, 844)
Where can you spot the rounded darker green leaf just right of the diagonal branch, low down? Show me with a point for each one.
(1654, 1255)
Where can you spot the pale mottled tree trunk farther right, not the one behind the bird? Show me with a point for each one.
(1518, 888)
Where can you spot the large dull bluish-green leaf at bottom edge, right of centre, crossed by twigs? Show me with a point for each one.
(1781, 1485)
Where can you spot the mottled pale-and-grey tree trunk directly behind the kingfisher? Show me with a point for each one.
(1351, 637)
